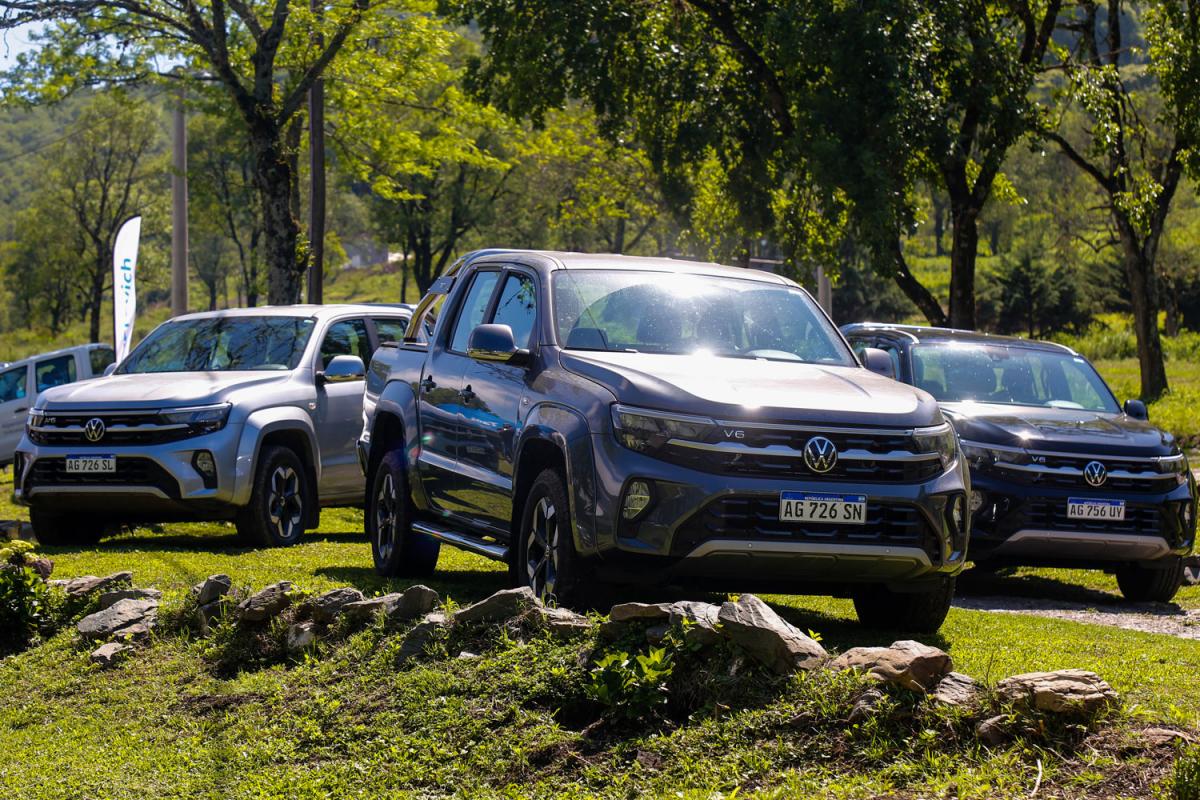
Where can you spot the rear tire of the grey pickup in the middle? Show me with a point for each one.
(397, 549)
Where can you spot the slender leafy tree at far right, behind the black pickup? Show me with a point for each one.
(1130, 122)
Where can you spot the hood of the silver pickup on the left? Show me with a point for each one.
(159, 390)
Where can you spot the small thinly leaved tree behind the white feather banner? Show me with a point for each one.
(97, 179)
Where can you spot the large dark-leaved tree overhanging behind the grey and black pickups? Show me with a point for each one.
(821, 115)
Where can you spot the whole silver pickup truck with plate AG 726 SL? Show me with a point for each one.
(248, 416)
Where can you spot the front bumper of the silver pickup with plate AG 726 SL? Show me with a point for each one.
(152, 483)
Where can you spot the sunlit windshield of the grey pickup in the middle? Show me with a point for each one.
(667, 312)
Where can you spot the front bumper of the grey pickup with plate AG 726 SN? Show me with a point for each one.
(725, 530)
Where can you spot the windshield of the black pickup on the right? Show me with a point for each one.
(1012, 376)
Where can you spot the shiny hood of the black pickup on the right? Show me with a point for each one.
(1059, 430)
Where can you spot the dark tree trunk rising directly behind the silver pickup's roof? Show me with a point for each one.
(274, 181)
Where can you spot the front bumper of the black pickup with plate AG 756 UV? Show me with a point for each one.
(1024, 525)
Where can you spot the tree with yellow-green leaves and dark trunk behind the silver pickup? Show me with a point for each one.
(263, 56)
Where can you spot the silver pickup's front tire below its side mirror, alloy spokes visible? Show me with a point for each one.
(280, 501)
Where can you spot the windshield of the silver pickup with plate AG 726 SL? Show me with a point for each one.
(223, 344)
